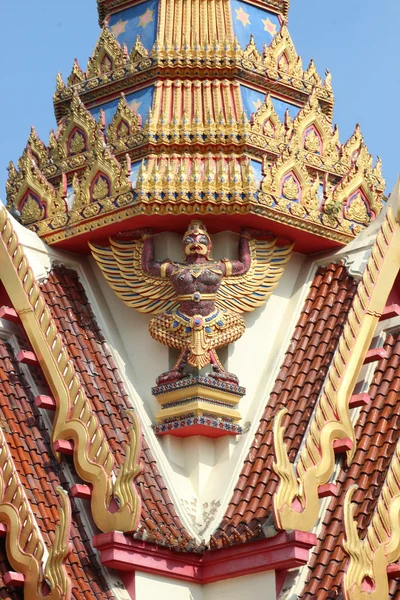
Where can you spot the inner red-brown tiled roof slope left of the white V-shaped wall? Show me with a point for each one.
(67, 300)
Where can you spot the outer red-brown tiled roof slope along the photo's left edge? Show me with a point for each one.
(29, 444)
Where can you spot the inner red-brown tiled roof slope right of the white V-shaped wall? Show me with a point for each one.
(297, 388)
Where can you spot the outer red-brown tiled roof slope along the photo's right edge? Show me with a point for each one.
(377, 434)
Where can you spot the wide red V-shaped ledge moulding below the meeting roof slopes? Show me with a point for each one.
(281, 552)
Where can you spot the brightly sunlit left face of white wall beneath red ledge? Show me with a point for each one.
(154, 587)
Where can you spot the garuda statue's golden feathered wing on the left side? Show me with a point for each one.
(121, 264)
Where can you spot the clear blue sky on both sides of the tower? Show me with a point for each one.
(355, 39)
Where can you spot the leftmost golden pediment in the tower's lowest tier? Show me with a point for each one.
(30, 193)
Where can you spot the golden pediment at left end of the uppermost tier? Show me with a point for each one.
(108, 55)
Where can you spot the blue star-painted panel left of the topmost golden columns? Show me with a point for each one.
(140, 19)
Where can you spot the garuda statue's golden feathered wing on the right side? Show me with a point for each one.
(244, 293)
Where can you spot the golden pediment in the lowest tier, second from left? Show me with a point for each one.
(103, 180)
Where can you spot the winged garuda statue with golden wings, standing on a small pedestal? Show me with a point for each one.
(198, 302)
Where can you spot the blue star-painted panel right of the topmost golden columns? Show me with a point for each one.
(249, 19)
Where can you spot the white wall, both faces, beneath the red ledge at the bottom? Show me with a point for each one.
(260, 586)
